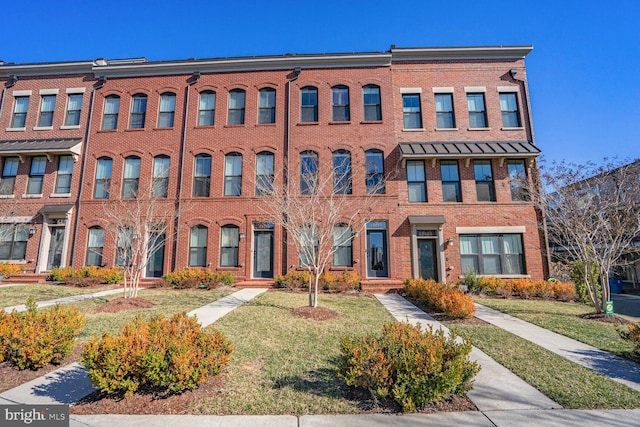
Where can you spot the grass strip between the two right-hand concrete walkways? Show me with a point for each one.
(570, 385)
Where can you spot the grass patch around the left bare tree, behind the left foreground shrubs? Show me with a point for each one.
(168, 301)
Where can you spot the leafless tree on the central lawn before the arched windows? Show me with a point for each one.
(317, 209)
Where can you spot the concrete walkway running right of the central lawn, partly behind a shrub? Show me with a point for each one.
(495, 388)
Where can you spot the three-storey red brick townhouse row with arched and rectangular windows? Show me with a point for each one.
(450, 128)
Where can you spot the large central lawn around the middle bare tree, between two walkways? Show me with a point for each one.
(284, 364)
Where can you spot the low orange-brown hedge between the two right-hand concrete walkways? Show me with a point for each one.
(449, 299)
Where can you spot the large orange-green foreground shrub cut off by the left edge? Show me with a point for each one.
(31, 339)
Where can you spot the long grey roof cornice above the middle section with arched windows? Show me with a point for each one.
(218, 65)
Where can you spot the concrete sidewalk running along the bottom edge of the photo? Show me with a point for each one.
(528, 418)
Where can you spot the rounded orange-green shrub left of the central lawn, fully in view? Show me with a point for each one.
(166, 354)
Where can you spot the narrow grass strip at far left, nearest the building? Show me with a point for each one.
(16, 295)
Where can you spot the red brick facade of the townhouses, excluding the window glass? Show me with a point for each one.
(403, 224)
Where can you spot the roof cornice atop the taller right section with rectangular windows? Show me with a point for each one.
(460, 53)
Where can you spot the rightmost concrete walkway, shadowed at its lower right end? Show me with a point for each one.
(618, 369)
